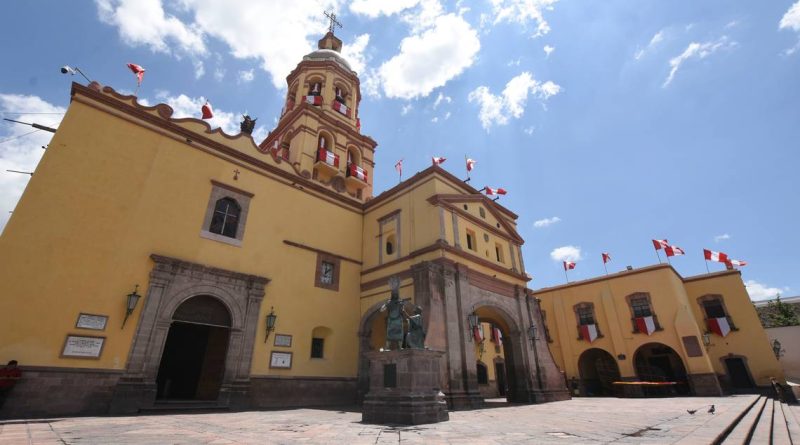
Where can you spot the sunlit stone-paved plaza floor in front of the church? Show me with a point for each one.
(577, 421)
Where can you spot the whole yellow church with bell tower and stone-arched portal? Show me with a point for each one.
(156, 263)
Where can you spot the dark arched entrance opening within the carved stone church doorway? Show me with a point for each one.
(193, 362)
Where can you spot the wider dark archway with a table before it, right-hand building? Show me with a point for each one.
(657, 362)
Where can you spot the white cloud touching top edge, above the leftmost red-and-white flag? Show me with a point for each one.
(145, 23)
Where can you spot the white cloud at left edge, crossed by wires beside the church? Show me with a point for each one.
(20, 151)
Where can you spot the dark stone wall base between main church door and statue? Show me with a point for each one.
(288, 392)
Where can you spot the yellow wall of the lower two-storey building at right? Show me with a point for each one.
(673, 302)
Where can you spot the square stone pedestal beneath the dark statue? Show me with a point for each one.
(404, 388)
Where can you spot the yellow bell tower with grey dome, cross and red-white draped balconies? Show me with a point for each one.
(319, 131)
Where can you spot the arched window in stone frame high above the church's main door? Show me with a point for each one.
(226, 214)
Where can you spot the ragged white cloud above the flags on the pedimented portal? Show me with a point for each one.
(496, 110)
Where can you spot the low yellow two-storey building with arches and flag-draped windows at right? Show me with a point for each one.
(653, 325)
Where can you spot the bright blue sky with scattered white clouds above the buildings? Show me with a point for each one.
(610, 123)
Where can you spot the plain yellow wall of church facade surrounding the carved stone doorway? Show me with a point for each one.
(107, 195)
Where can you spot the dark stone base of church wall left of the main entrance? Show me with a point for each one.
(53, 391)
